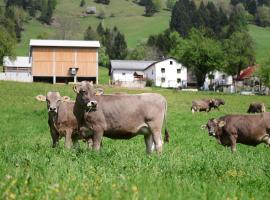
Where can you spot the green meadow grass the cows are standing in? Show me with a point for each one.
(193, 165)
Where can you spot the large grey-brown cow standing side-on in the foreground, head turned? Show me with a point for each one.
(121, 116)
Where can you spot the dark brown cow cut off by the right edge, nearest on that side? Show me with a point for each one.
(245, 129)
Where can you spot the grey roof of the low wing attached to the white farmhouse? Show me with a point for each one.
(130, 64)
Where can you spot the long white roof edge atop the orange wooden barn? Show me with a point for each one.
(64, 43)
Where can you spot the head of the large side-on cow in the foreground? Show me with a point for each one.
(86, 95)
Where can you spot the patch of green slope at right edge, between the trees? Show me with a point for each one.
(261, 37)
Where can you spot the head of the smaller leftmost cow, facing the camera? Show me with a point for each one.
(53, 99)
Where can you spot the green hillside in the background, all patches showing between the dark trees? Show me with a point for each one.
(128, 17)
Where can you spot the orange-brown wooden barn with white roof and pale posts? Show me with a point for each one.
(64, 60)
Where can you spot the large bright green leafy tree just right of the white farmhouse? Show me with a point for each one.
(199, 53)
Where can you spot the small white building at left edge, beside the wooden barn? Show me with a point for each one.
(17, 69)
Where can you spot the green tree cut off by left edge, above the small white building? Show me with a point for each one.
(7, 43)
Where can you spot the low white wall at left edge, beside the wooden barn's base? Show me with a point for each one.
(13, 76)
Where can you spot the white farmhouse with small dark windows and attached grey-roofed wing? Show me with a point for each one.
(165, 73)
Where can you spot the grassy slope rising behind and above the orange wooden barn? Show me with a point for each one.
(128, 17)
